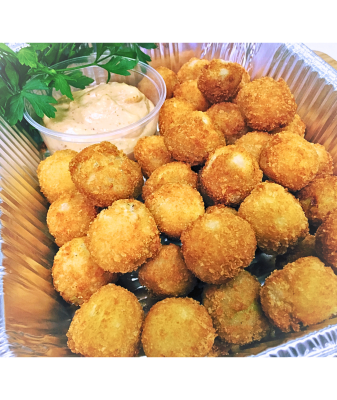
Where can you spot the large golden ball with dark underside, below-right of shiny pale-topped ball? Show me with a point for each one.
(276, 217)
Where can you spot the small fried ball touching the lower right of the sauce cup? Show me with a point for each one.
(150, 152)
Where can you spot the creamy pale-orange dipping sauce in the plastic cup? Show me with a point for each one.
(102, 108)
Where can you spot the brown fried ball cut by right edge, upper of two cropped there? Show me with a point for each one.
(319, 198)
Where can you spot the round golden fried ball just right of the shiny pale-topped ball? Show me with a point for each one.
(289, 160)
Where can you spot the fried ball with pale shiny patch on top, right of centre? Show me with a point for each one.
(229, 175)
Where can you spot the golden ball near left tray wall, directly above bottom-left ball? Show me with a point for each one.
(75, 274)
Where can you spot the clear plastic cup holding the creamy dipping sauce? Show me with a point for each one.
(148, 81)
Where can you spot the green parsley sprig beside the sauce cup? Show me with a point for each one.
(29, 70)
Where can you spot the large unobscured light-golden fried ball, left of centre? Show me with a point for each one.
(123, 237)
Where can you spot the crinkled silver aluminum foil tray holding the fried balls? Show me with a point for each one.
(34, 319)
